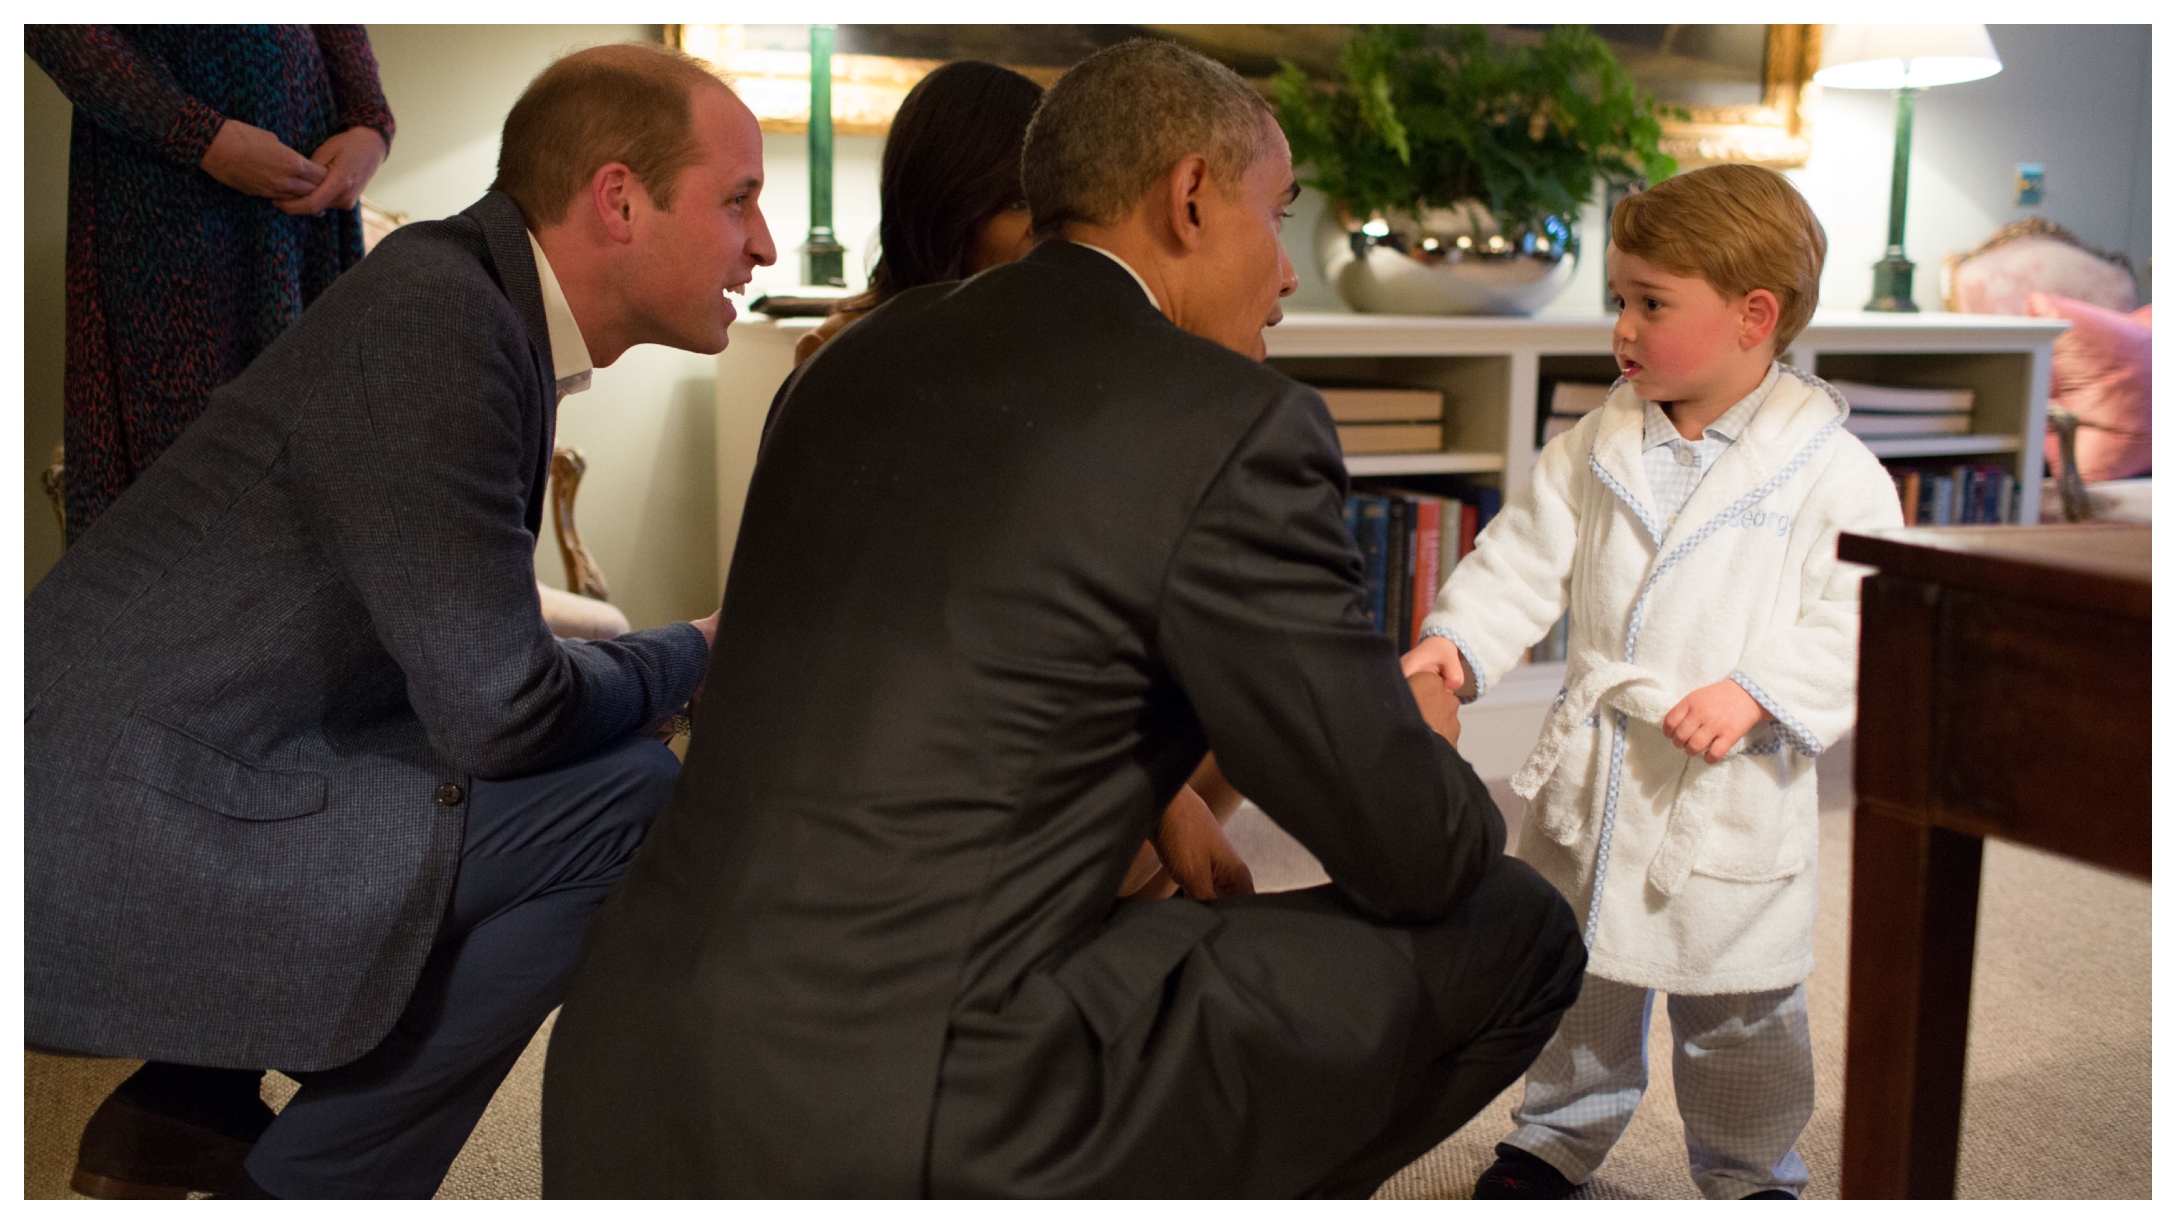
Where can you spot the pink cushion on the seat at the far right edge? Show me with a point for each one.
(2105, 374)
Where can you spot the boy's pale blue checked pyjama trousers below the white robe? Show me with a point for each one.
(1744, 1075)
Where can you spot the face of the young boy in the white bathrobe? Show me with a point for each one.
(1679, 341)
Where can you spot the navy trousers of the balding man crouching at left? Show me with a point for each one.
(536, 859)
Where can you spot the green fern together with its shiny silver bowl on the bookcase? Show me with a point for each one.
(1457, 171)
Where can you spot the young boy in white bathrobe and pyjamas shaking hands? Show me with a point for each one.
(1690, 528)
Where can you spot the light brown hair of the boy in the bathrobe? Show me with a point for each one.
(1735, 228)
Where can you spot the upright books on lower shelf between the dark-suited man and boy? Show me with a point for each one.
(1409, 543)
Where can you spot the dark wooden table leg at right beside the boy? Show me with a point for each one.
(1916, 898)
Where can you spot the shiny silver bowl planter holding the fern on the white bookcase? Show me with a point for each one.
(1446, 260)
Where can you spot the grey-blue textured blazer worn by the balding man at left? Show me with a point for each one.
(260, 685)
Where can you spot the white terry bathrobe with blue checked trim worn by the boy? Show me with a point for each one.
(1692, 879)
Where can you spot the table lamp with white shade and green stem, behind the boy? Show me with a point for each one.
(1905, 60)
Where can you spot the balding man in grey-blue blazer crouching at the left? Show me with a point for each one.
(308, 781)
